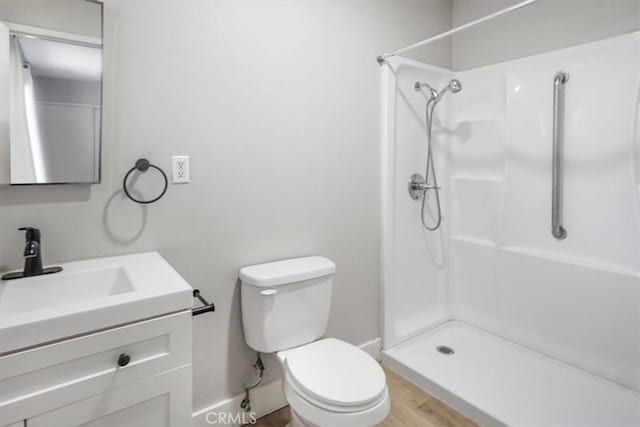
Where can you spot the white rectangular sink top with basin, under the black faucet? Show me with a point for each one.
(87, 296)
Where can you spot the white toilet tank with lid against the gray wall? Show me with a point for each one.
(286, 303)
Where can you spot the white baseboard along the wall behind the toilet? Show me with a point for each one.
(265, 399)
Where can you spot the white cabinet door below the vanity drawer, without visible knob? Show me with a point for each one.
(162, 400)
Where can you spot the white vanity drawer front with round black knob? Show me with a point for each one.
(57, 374)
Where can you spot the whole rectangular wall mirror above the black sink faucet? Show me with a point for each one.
(50, 93)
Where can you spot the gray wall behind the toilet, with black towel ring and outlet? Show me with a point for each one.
(278, 104)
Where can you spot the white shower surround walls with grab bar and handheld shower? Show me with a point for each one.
(577, 300)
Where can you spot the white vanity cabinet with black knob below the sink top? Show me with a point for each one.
(138, 374)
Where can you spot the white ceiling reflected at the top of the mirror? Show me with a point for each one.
(62, 60)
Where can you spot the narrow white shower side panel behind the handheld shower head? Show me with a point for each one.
(404, 317)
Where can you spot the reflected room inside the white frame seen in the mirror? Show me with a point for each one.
(55, 110)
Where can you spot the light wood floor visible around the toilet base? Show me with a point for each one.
(410, 407)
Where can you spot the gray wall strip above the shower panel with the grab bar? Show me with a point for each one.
(544, 26)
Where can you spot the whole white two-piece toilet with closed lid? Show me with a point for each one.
(327, 382)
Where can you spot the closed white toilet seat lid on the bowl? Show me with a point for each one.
(335, 376)
